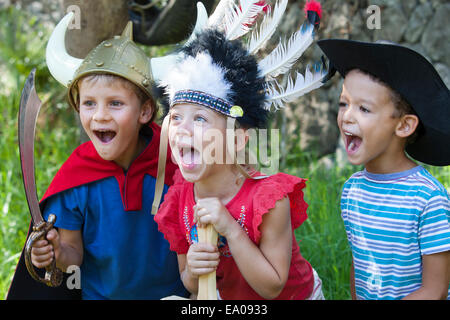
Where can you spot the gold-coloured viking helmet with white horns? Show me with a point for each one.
(117, 56)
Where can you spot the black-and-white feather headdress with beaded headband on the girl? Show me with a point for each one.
(216, 70)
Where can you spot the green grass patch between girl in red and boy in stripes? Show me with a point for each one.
(322, 236)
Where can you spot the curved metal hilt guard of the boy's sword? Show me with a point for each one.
(53, 275)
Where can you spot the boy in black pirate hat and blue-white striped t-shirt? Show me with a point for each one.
(396, 214)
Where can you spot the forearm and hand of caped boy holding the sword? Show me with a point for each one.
(65, 245)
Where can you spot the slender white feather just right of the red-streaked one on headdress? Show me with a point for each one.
(267, 27)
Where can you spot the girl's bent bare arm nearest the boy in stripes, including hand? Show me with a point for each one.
(265, 268)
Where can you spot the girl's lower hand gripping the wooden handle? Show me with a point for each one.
(202, 259)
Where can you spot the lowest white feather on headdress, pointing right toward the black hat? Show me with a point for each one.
(294, 89)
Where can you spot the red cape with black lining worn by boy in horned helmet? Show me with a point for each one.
(84, 166)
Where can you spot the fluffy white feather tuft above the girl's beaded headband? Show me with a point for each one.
(198, 73)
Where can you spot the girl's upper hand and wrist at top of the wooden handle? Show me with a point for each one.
(211, 210)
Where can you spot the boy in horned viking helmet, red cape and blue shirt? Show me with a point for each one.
(104, 223)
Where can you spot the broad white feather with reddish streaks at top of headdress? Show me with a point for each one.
(238, 21)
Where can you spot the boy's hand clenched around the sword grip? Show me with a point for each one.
(43, 251)
